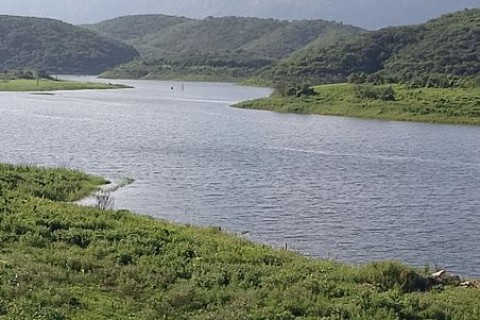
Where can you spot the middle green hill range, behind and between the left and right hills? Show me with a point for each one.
(228, 47)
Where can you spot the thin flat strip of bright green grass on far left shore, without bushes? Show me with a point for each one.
(51, 85)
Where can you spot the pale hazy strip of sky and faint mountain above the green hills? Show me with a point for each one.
(370, 14)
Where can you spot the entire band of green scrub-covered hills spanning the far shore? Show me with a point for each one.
(233, 48)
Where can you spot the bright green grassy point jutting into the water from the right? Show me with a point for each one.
(439, 105)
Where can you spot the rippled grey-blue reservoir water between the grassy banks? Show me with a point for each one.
(348, 189)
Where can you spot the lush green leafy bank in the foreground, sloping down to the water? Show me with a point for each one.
(61, 261)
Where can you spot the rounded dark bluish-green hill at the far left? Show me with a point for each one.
(57, 47)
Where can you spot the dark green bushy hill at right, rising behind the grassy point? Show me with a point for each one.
(447, 46)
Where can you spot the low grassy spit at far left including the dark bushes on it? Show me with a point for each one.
(32, 80)
